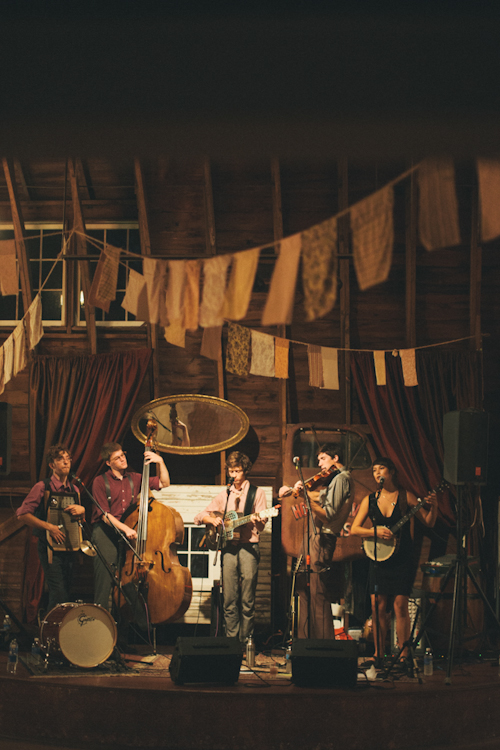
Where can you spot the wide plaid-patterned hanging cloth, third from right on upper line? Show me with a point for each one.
(373, 237)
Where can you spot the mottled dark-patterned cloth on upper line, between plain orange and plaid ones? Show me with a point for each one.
(319, 268)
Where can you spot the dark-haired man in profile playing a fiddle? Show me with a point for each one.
(330, 508)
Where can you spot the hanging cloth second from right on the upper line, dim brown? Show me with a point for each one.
(438, 206)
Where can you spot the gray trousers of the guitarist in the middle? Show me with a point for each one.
(239, 580)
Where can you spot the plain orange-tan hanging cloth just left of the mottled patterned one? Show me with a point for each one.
(278, 309)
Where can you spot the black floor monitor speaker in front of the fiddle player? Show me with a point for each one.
(324, 663)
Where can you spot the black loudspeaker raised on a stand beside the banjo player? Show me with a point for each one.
(465, 437)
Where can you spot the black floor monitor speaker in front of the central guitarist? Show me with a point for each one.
(206, 660)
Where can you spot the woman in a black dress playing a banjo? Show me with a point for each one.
(394, 571)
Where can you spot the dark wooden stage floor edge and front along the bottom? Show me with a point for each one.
(270, 713)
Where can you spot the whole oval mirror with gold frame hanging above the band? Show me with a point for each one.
(192, 424)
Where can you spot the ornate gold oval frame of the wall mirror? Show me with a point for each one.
(155, 408)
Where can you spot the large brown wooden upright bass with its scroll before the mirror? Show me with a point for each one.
(158, 578)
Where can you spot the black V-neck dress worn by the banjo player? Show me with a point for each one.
(395, 575)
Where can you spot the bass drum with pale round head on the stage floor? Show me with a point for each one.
(85, 634)
